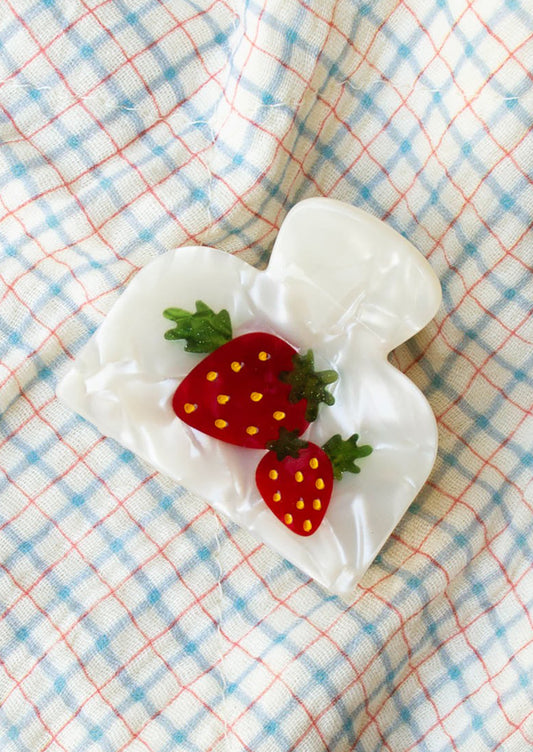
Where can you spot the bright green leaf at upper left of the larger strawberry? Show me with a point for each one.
(204, 330)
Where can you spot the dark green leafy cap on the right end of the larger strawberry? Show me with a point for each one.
(308, 384)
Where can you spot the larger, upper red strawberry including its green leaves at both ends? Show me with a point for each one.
(247, 388)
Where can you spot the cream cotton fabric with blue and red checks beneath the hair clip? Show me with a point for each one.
(132, 616)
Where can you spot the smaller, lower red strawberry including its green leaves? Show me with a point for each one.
(295, 478)
